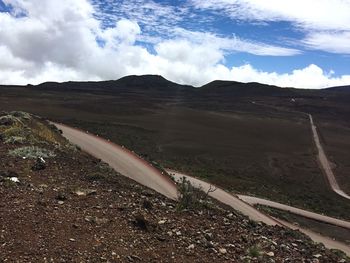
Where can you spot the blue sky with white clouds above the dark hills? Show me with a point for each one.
(288, 43)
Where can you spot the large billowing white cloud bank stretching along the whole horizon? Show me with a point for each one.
(63, 40)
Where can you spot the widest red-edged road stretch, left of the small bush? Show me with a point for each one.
(122, 160)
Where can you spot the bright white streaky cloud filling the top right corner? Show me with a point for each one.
(320, 15)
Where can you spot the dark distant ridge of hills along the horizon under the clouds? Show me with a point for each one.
(155, 85)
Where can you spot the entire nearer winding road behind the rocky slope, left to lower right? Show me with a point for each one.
(132, 166)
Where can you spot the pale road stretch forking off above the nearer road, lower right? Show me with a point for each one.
(297, 211)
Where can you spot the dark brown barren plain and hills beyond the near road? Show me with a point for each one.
(252, 141)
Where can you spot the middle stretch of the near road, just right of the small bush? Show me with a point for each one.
(227, 199)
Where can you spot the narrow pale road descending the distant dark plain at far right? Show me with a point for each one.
(325, 165)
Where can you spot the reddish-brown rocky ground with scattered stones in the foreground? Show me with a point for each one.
(57, 204)
